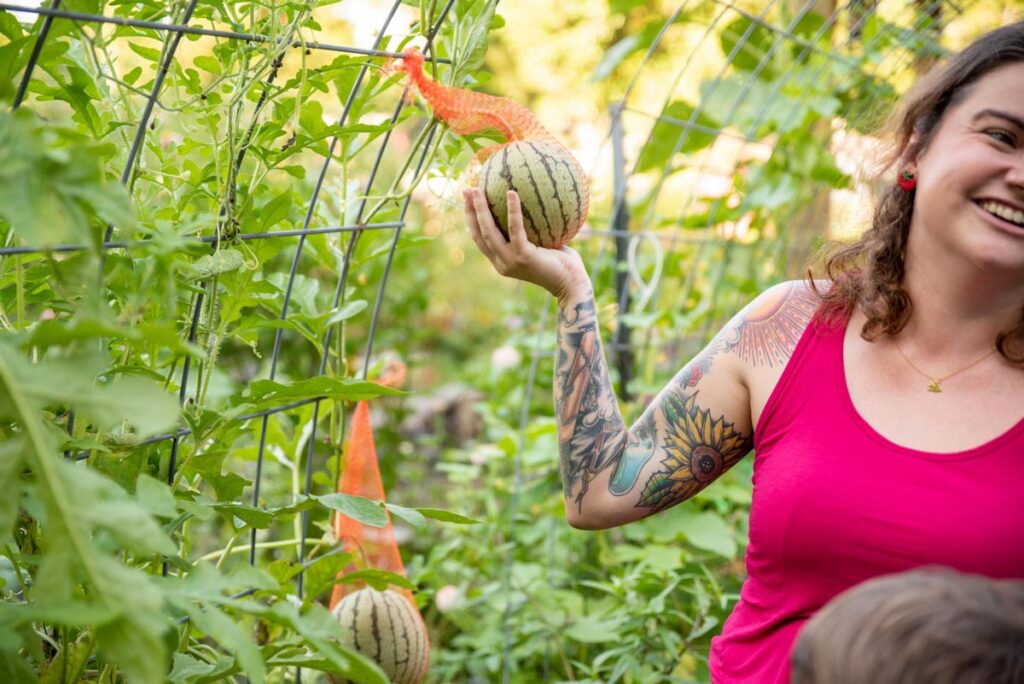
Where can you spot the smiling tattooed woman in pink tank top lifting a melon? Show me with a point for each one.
(886, 408)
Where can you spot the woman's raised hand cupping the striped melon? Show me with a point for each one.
(560, 272)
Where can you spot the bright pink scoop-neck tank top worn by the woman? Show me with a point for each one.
(835, 504)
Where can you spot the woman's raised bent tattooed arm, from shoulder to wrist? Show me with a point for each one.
(697, 429)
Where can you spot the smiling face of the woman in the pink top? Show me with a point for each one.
(970, 197)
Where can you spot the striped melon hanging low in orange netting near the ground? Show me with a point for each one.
(387, 628)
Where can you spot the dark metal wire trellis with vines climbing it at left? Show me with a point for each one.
(365, 222)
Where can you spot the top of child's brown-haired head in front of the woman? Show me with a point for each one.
(932, 626)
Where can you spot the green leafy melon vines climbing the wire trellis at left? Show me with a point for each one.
(138, 393)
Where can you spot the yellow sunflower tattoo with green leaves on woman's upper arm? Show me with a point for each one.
(699, 450)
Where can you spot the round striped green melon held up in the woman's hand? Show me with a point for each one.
(553, 190)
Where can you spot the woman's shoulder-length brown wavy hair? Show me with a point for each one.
(871, 272)
